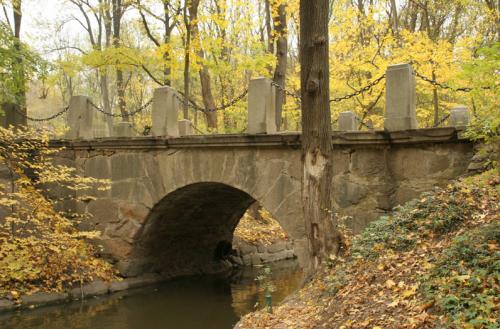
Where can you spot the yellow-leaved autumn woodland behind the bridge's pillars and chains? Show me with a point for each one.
(118, 51)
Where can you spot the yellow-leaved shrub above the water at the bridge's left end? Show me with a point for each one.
(41, 248)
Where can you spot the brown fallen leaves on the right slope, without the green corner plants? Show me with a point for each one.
(386, 291)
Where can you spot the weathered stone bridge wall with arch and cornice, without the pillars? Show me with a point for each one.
(175, 202)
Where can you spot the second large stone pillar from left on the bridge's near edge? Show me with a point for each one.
(165, 112)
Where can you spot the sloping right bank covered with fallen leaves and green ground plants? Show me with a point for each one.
(431, 264)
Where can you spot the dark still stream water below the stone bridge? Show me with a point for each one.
(189, 303)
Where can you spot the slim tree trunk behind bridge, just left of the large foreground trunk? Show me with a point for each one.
(281, 56)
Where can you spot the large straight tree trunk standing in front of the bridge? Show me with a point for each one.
(316, 131)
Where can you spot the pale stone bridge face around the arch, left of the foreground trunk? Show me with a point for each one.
(143, 182)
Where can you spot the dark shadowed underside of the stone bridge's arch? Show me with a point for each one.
(188, 229)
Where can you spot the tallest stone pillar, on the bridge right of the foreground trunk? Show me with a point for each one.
(400, 111)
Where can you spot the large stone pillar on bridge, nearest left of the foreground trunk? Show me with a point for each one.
(261, 107)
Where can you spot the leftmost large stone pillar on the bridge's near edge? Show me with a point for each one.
(80, 118)
